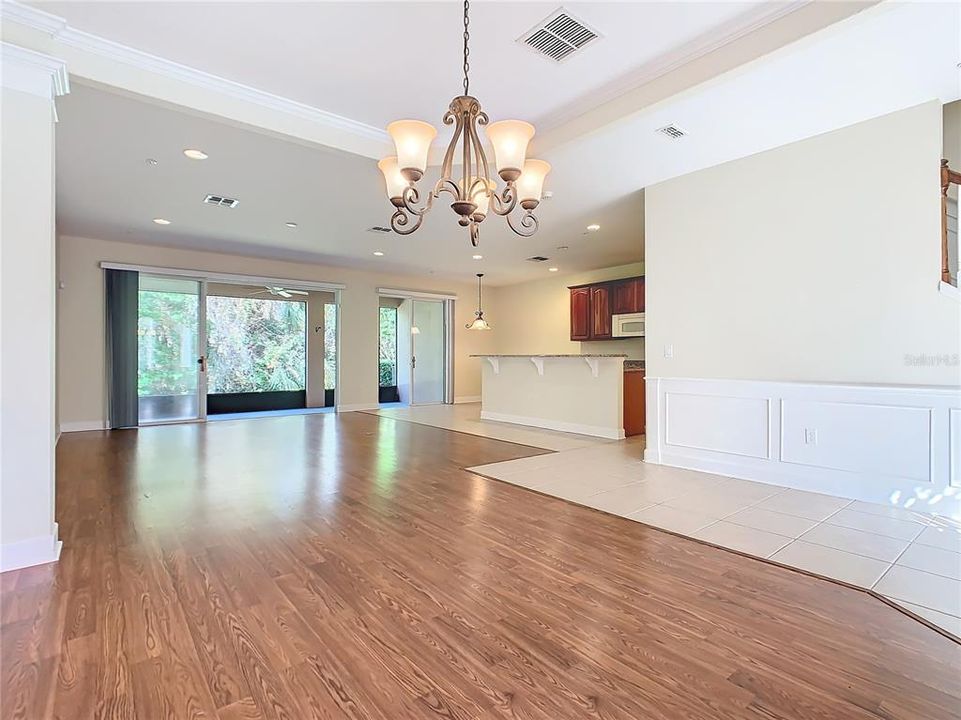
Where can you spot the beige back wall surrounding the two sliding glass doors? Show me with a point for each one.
(81, 327)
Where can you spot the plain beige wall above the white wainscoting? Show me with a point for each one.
(817, 261)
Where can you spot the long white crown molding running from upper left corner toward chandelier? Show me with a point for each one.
(60, 31)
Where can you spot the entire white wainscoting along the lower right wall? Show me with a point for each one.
(893, 444)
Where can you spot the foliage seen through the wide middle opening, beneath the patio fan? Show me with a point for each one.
(256, 345)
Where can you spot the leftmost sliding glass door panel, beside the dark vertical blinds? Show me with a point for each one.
(170, 371)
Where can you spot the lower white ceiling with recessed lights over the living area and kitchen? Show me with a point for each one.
(106, 189)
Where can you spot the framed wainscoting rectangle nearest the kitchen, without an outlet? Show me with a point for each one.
(735, 425)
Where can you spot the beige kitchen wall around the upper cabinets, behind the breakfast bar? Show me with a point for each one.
(534, 317)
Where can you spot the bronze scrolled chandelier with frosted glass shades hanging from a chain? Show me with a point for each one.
(475, 194)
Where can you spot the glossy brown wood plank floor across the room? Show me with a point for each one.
(326, 566)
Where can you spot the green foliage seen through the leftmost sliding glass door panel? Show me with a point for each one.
(167, 343)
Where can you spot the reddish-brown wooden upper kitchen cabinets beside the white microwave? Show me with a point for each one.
(593, 306)
